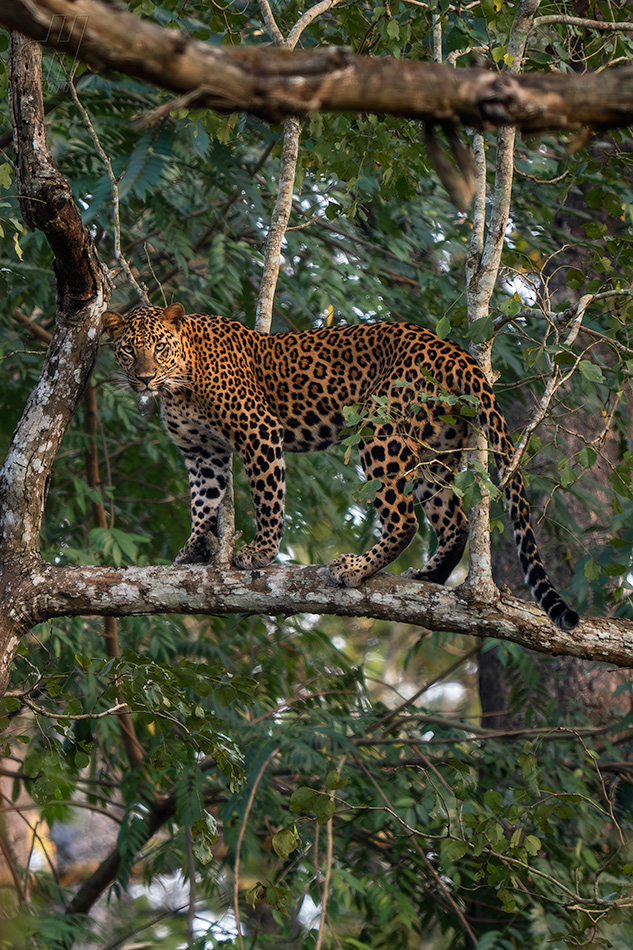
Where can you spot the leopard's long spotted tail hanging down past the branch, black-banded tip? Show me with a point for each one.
(494, 425)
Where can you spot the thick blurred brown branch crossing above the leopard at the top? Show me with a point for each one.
(275, 83)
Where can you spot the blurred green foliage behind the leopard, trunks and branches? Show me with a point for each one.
(360, 784)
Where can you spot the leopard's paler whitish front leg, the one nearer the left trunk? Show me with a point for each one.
(208, 469)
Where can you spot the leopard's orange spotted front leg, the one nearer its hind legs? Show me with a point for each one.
(265, 467)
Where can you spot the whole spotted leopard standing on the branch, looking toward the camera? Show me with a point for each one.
(226, 389)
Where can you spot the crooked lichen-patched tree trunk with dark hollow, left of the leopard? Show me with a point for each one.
(83, 292)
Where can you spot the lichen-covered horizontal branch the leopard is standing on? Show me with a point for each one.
(53, 591)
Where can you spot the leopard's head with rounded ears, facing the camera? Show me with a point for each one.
(148, 346)
